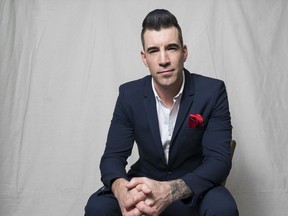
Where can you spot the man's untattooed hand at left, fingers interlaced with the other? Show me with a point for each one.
(132, 201)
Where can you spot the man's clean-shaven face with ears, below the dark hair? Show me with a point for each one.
(164, 55)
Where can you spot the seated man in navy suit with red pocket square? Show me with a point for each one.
(181, 125)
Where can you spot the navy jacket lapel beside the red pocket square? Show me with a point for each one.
(185, 104)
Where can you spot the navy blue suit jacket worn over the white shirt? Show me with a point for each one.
(199, 156)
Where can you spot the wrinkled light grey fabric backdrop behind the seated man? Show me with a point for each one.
(61, 63)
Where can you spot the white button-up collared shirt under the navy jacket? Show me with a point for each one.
(167, 117)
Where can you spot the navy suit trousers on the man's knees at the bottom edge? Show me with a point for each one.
(216, 202)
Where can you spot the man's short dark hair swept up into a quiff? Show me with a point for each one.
(160, 19)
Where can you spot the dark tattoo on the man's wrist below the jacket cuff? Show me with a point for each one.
(179, 190)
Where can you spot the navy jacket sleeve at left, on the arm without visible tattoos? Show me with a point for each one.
(119, 144)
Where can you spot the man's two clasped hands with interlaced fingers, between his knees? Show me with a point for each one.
(142, 196)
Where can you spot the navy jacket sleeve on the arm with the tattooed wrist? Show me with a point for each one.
(216, 162)
